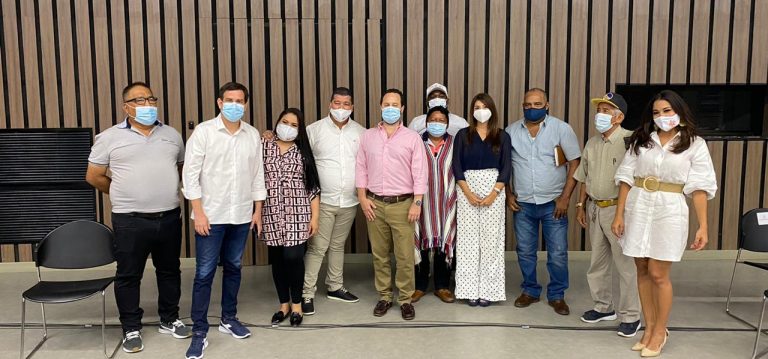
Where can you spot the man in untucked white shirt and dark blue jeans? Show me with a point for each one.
(223, 177)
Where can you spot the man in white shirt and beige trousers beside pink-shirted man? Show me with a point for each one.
(334, 141)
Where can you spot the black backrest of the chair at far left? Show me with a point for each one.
(76, 245)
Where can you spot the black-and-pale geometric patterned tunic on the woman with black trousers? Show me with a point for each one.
(287, 211)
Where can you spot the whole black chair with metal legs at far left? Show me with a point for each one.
(75, 245)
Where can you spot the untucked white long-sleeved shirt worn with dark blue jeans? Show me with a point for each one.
(225, 170)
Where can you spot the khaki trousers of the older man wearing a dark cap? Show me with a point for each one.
(606, 253)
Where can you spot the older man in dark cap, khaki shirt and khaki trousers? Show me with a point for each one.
(595, 210)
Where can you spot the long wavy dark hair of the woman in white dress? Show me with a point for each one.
(642, 136)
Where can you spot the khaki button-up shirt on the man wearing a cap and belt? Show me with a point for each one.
(599, 161)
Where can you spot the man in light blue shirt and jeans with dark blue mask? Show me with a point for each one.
(545, 155)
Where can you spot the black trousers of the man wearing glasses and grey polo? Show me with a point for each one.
(135, 239)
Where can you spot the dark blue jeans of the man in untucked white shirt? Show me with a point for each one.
(225, 241)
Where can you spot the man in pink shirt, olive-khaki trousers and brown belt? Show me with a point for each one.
(391, 179)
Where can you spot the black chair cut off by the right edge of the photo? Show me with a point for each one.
(753, 237)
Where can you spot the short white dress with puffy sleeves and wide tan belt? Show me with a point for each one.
(656, 223)
